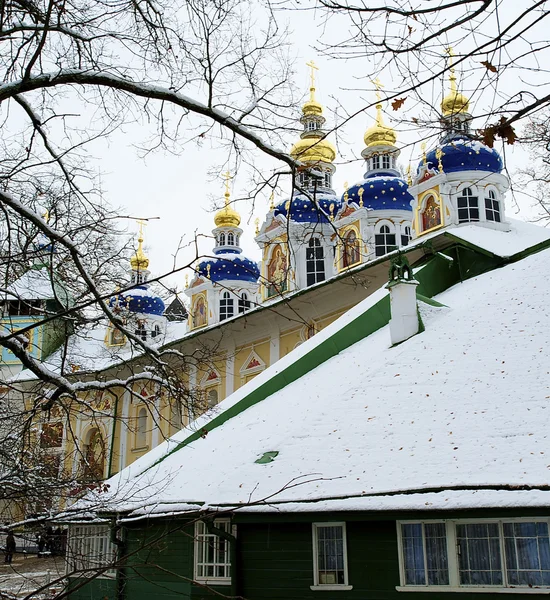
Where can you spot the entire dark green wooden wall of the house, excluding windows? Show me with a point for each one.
(274, 561)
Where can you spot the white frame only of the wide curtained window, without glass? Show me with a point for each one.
(452, 558)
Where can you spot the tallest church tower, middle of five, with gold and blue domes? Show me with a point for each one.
(297, 237)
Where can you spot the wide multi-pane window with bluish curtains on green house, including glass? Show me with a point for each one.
(453, 545)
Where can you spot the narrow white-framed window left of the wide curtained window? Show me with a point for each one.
(326, 578)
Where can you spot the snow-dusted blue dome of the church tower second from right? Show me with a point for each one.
(380, 193)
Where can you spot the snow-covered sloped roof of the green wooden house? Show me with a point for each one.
(455, 417)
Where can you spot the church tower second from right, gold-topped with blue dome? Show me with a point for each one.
(375, 216)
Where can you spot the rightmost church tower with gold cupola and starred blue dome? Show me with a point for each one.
(460, 181)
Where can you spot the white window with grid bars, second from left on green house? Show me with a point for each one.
(212, 563)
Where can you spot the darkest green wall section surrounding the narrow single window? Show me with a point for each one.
(277, 564)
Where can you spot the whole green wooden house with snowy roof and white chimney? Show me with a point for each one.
(403, 450)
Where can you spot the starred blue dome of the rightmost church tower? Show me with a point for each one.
(465, 154)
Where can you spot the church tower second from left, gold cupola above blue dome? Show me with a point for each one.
(225, 284)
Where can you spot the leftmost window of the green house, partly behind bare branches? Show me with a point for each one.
(89, 549)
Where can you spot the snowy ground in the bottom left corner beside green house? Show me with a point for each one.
(25, 575)
